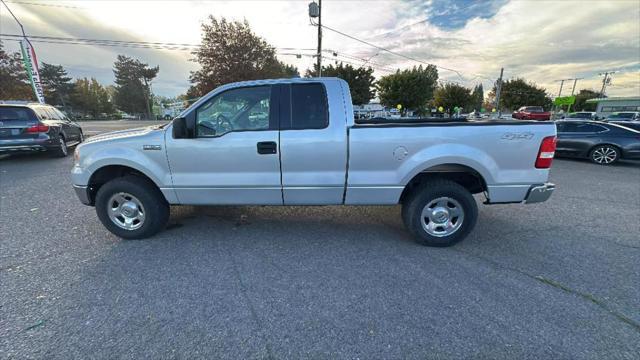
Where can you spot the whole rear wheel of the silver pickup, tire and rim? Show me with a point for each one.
(441, 213)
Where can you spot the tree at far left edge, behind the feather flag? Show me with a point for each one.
(14, 80)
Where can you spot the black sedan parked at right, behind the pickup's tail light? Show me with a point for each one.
(601, 142)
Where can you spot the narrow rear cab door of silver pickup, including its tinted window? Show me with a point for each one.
(313, 143)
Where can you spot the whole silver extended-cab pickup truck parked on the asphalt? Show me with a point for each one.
(295, 142)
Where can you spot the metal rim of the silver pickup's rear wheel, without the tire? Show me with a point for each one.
(442, 217)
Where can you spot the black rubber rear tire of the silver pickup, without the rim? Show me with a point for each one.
(432, 191)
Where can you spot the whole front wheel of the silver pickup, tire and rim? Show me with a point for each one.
(132, 207)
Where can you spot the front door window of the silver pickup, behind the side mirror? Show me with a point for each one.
(239, 109)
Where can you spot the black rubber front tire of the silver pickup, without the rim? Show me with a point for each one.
(156, 208)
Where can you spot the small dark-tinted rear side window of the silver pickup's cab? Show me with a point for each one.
(309, 106)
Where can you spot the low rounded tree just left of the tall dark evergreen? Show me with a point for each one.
(91, 98)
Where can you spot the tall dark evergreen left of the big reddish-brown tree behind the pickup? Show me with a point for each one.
(133, 85)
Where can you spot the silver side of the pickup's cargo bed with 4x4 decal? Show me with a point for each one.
(387, 155)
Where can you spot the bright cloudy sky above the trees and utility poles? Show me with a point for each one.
(470, 40)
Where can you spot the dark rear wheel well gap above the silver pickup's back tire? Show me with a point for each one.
(469, 178)
